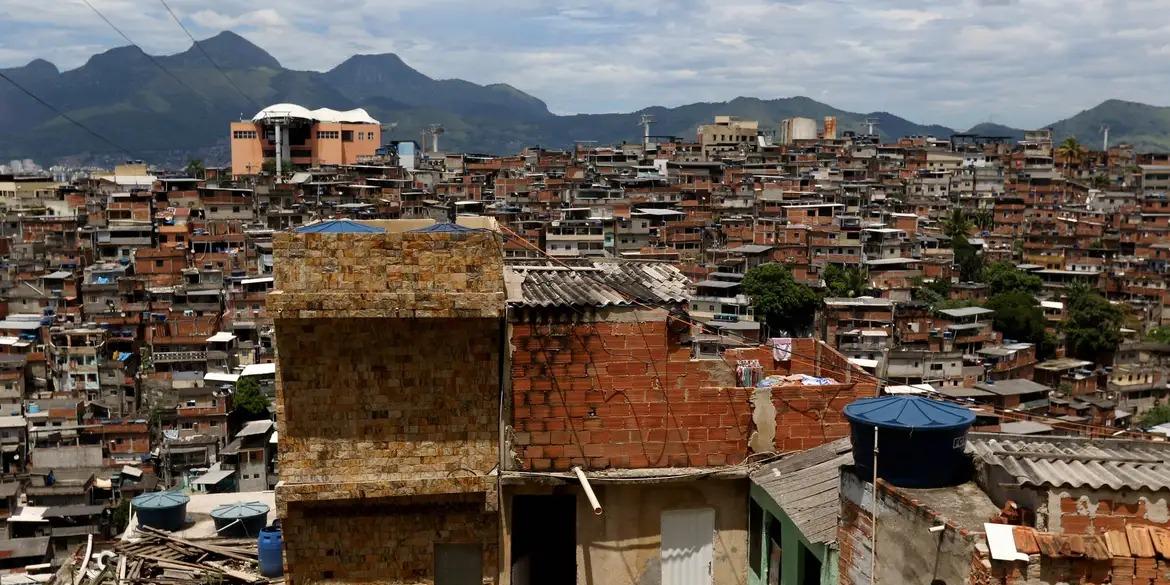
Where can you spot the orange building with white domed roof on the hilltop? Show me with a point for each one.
(304, 137)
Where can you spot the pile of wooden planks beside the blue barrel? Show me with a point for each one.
(162, 559)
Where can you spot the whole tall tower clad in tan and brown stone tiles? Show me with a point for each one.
(389, 404)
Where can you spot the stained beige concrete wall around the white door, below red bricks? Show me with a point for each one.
(623, 547)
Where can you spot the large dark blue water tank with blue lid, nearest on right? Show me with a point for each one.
(920, 442)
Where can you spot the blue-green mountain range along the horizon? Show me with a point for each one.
(169, 116)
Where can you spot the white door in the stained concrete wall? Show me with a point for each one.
(687, 547)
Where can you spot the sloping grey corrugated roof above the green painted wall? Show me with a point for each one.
(807, 487)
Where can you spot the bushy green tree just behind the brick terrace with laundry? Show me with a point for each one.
(787, 305)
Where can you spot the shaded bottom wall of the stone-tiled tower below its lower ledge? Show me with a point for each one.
(388, 541)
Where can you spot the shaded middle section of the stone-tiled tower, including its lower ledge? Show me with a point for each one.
(388, 400)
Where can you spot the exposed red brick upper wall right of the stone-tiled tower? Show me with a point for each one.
(628, 395)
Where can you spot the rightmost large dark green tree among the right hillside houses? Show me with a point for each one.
(1092, 326)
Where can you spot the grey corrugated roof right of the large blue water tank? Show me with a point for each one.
(1076, 462)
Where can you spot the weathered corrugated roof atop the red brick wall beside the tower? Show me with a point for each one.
(600, 284)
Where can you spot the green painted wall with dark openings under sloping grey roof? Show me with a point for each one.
(793, 542)
